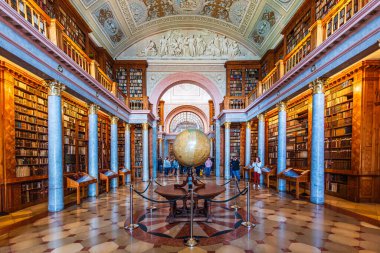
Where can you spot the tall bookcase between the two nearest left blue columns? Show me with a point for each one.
(74, 131)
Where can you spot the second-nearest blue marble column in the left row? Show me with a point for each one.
(93, 147)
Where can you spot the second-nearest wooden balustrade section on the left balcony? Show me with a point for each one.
(75, 53)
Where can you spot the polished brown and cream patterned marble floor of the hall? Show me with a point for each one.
(283, 224)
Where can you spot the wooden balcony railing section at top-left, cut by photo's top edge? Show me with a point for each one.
(32, 13)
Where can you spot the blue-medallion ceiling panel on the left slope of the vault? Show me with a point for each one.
(110, 26)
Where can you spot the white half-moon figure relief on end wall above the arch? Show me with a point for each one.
(182, 44)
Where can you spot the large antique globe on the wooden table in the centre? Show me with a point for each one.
(191, 147)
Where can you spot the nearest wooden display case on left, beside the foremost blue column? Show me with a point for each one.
(80, 181)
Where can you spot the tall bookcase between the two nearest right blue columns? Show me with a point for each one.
(297, 132)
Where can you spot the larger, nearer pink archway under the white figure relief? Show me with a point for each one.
(186, 77)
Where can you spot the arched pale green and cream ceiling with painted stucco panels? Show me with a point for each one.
(253, 25)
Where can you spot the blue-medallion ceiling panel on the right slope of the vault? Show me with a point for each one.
(263, 27)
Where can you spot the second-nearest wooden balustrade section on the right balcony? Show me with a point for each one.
(299, 52)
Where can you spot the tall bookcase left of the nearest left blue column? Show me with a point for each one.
(30, 130)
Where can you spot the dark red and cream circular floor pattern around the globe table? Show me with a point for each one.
(226, 226)
